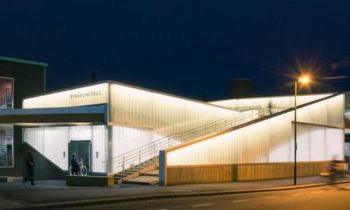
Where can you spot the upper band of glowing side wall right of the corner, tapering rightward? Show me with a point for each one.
(141, 108)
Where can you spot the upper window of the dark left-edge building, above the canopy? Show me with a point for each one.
(6, 93)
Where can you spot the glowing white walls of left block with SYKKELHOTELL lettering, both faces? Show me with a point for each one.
(137, 117)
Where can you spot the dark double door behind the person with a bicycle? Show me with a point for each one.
(82, 149)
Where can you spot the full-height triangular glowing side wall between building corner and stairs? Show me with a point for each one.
(140, 117)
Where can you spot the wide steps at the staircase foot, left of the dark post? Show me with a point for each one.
(136, 171)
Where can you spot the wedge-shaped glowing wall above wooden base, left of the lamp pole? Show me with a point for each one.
(250, 144)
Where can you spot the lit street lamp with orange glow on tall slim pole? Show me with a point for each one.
(302, 80)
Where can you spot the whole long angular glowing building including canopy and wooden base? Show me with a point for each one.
(113, 126)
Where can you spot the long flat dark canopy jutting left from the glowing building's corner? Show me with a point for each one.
(96, 114)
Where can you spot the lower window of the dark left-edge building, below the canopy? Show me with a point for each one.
(6, 145)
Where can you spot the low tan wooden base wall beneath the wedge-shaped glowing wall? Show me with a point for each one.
(176, 175)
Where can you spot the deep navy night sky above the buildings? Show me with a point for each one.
(183, 47)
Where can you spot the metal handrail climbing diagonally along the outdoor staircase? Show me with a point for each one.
(151, 150)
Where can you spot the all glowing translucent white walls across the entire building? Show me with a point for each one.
(139, 117)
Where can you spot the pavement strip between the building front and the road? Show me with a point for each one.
(56, 194)
